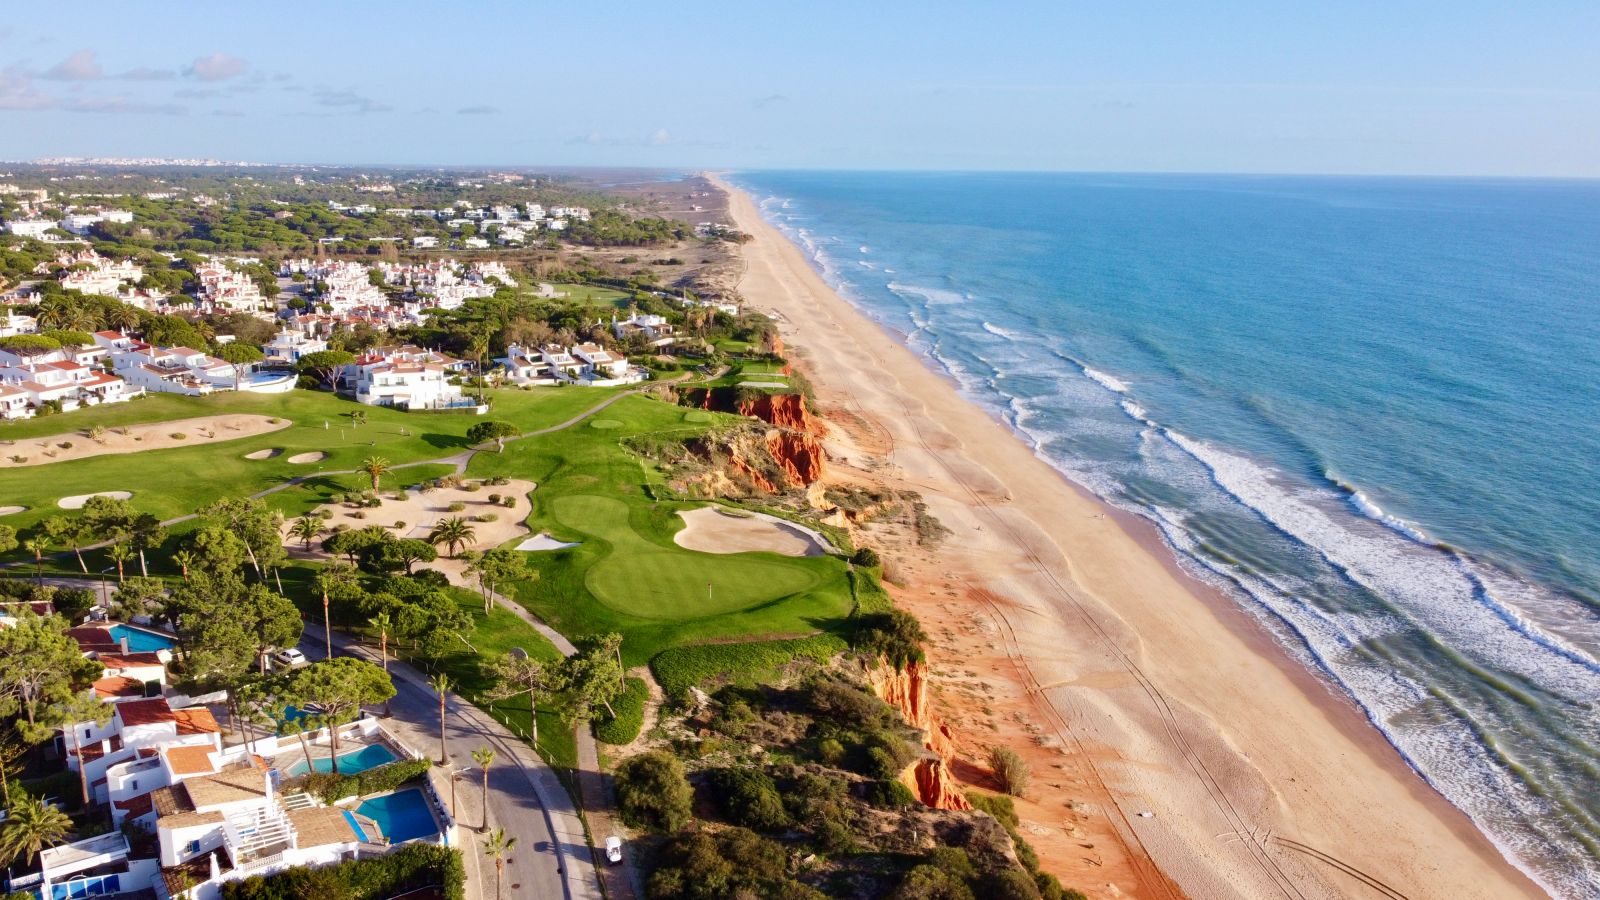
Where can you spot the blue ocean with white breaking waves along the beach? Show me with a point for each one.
(1367, 409)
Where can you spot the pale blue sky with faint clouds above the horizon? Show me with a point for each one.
(1358, 87)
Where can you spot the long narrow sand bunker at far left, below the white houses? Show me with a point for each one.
(134, 440)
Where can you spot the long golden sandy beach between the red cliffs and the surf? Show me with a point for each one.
(1178, 750)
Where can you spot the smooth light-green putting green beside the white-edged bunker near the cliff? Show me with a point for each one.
(642, 579)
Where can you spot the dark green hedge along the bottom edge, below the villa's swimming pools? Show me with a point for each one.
(409, 869)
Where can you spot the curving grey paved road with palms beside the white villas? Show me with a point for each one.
(527, 800)
